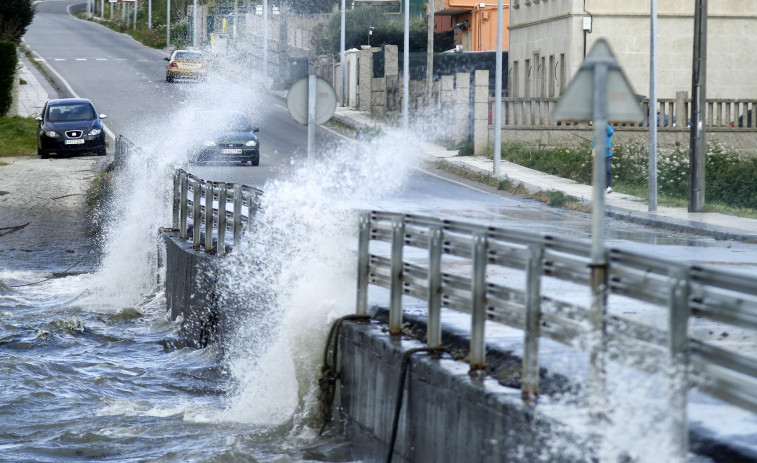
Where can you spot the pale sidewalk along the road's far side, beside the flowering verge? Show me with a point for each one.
(619, 205)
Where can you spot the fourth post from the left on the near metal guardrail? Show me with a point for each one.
(478, 299)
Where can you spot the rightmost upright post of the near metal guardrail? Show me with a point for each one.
(678, 382)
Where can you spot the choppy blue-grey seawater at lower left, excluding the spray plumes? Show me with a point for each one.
(83, 381)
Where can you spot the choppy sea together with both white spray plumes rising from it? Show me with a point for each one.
(92, 366)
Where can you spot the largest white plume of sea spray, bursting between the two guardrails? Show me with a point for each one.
(296, 275)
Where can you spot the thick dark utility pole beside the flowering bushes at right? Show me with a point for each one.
(698, 105)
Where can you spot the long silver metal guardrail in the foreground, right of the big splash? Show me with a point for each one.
(684, 291)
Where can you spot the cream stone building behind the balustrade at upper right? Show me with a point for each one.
(548, 42)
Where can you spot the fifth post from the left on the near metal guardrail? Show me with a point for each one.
(532, 332)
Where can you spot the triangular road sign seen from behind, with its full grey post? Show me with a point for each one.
(600, 93)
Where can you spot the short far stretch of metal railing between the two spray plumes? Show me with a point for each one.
(213, 208)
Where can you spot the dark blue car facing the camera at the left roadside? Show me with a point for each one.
(70, 126)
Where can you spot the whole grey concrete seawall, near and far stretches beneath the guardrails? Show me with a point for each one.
(447, 415)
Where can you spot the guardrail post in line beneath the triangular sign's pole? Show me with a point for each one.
(598, 339)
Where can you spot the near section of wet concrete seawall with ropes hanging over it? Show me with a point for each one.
(447, 416)
